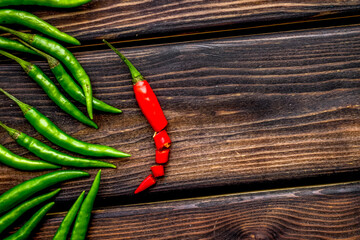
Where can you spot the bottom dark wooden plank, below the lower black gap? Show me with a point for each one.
(327, 212)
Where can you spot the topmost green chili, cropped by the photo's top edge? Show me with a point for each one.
(46, 3)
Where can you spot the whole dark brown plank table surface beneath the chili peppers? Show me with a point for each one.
(262, 99)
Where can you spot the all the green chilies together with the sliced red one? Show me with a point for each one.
(14, 203)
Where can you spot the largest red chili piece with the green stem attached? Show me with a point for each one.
(144, 95)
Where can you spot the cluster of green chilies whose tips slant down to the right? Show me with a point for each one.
(53, 51)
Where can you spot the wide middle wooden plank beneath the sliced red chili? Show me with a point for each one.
(241, 111)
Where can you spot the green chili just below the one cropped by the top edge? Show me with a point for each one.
(12, 16)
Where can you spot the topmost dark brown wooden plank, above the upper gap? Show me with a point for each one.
(114, 19)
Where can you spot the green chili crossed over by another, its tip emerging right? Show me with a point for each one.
(68, 84)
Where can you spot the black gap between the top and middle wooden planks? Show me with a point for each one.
(257, 30)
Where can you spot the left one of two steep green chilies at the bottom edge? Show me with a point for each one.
(65, 225)
